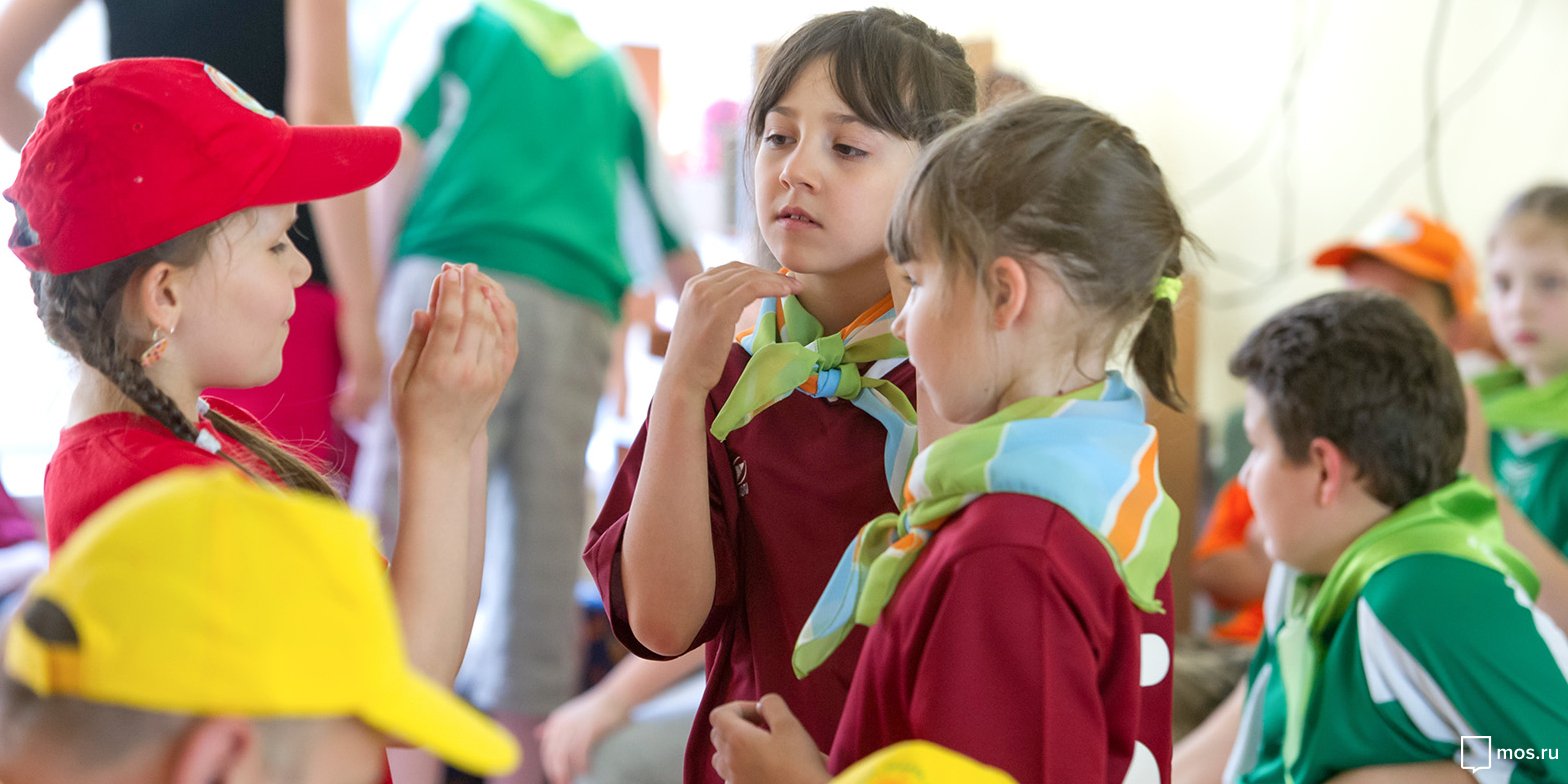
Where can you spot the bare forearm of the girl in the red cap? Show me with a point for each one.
(434, 565)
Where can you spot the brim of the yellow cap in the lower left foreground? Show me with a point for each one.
(423, 714)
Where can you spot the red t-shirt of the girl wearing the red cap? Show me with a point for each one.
(106, 456)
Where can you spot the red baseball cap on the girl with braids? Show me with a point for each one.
(140, 151)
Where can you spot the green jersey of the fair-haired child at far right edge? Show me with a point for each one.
(1533, 471)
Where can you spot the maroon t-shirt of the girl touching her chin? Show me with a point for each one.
(788, 495)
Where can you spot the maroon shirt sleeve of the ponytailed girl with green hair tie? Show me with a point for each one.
(1040, 652)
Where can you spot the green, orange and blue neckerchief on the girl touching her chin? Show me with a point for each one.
(789, 352)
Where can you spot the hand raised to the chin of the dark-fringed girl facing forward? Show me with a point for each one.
(711, 307)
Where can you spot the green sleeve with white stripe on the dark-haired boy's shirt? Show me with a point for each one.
(1465, 653)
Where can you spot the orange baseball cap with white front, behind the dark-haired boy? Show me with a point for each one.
(1418, 245)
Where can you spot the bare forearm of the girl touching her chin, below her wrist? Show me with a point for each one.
(667, 557)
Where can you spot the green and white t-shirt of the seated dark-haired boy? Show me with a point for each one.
(1434, 648)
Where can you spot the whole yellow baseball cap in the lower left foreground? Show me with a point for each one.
(205, 593)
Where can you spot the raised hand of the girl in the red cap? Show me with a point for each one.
(459, 357)
